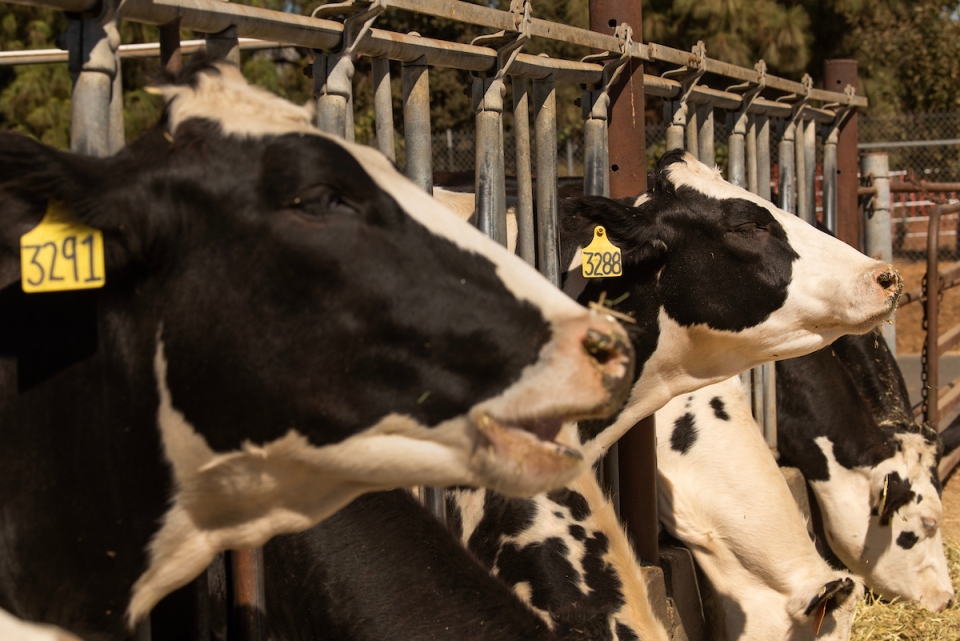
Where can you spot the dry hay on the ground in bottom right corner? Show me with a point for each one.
(879, 621)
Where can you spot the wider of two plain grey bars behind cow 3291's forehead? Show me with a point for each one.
(416, 122)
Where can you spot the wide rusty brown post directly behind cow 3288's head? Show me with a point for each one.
(628, 177)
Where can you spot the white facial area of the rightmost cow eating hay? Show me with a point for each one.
(919, 573)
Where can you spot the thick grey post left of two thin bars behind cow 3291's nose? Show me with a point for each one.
(491, 208)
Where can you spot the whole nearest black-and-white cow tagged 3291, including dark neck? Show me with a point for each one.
(287, 323)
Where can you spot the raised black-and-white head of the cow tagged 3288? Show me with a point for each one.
(718, 280)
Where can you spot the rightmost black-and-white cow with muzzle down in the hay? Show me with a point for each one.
(843, 419)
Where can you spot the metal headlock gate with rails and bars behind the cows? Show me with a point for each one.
(760, 109)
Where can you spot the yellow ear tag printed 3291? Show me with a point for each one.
(60, 254)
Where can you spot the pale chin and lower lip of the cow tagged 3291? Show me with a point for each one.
(515, 462)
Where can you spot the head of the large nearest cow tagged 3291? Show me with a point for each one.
(311, 324)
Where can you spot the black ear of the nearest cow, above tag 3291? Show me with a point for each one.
(31, 176)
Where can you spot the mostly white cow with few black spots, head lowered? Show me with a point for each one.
(721, 493)
